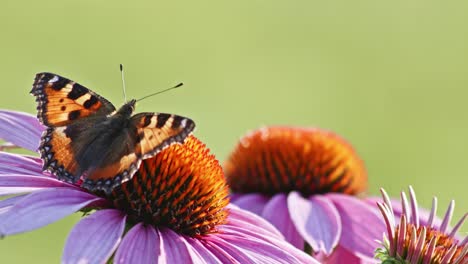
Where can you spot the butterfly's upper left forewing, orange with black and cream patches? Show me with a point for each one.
(62, 101)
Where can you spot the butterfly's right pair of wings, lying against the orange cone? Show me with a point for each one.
(148, 134)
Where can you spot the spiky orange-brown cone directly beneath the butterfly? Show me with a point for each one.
(182, 188)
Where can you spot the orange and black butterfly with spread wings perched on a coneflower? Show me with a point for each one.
(87, 138)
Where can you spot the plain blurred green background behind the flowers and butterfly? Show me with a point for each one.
(390, 76)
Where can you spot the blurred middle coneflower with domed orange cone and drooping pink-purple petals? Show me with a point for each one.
(303, 181)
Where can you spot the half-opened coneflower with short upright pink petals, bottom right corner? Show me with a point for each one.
(411, 240)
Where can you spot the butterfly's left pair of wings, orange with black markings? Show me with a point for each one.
(61, 103)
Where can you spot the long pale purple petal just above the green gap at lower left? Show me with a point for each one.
(42, 208)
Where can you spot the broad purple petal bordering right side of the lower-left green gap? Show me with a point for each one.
(95, 238)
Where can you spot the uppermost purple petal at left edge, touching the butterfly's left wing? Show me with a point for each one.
(21, 129)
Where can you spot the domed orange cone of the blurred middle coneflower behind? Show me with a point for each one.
(284, 159)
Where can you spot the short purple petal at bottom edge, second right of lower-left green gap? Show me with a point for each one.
(141, 244)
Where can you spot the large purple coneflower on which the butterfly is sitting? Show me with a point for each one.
(173, 210)
